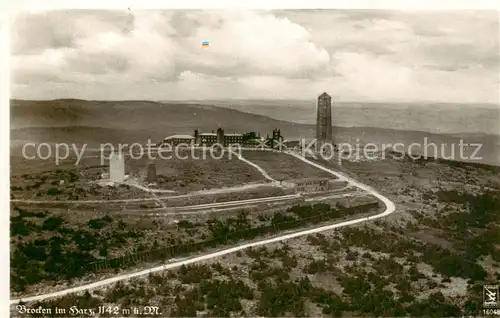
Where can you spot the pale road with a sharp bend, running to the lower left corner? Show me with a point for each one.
(390, 208)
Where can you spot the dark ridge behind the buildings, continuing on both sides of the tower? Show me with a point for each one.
(98, 122)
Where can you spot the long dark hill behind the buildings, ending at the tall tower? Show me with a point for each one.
(159, 119)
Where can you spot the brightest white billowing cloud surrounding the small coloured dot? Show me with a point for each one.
(249, 43)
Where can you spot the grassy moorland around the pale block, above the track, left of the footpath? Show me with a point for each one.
(43, 180)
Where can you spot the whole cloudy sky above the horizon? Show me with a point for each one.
(447, 56)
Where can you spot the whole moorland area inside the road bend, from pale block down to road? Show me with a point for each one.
(85, 227)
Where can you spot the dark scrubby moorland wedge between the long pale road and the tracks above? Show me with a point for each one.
(50, 248)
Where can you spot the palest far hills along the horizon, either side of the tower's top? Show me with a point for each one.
(430, 117)
